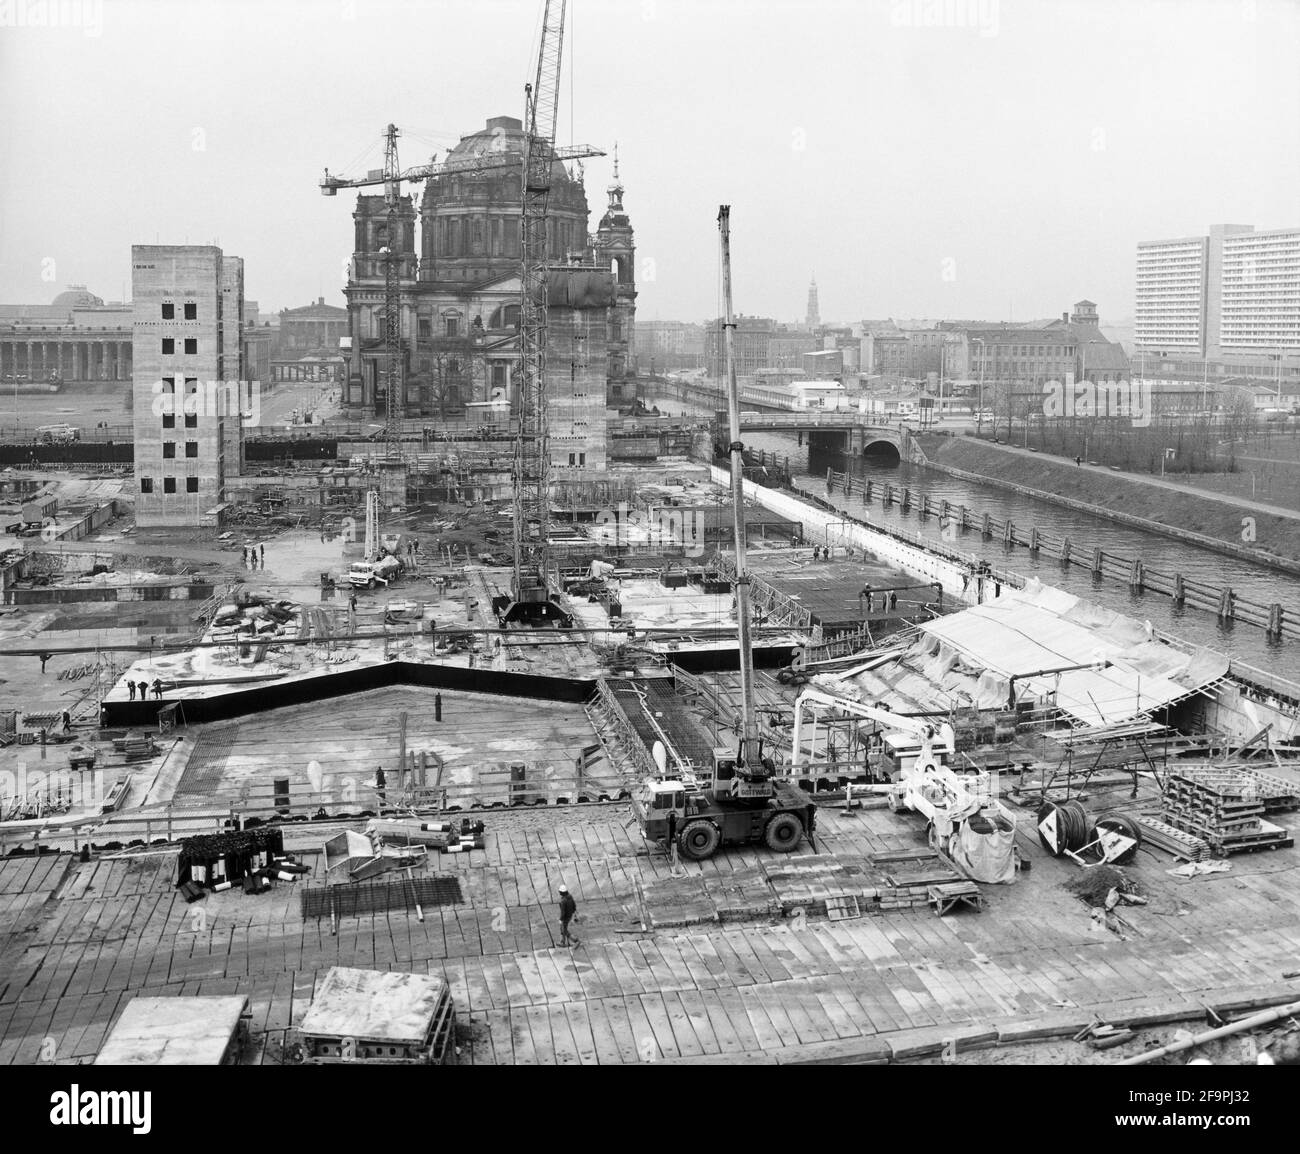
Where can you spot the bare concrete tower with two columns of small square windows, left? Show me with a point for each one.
(188, 318)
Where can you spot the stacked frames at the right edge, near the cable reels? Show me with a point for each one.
(1224, 809)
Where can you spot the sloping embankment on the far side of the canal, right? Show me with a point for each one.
(1091, 491)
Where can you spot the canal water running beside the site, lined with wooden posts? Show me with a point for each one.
(1256, 583)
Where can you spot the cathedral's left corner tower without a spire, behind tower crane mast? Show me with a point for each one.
(366, 292)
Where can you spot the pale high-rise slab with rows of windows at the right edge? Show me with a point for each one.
(1233, 293)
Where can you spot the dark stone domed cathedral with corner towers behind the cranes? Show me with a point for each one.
(460, 272)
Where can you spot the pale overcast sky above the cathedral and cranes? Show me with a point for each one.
(929, 159)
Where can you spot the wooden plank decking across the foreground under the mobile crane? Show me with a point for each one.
(77, 940)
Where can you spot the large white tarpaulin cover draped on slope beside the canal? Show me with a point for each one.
(1042, 628)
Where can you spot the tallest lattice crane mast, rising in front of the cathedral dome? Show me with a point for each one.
(532, 450)
